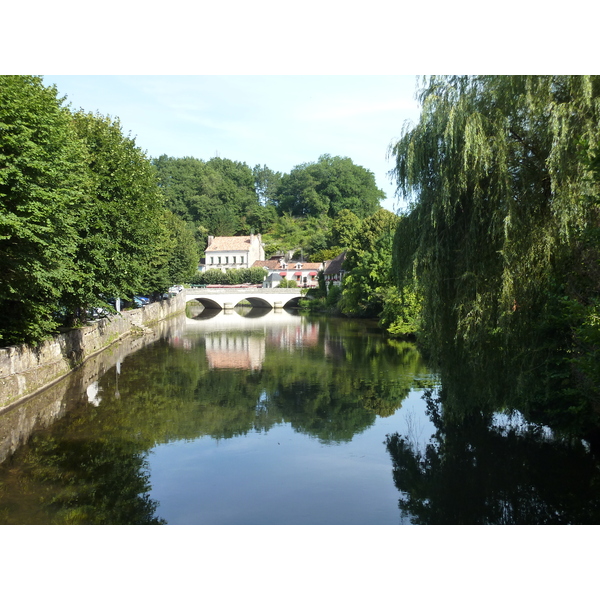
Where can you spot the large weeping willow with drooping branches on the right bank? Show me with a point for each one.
(495, 178)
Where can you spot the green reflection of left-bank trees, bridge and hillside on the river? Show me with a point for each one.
(224, 378)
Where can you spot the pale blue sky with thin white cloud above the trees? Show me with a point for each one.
(276, 120)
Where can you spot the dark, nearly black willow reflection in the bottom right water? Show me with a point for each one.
(478, 471)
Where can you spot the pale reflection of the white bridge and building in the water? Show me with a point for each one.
(238, 338)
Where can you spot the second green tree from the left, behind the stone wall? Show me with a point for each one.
(123, 239)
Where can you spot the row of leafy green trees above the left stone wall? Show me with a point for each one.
(82, 218)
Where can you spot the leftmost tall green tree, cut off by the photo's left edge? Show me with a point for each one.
(43, 191)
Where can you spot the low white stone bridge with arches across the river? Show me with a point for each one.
(224, 298)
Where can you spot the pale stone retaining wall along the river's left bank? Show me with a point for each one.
(25, 370)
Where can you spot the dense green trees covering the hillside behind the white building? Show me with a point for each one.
(296, 212)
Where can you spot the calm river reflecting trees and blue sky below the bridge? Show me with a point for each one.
(270, 417)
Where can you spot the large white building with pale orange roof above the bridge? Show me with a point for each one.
(233, 252)
